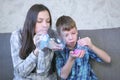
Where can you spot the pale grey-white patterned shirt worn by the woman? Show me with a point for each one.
(23, 68)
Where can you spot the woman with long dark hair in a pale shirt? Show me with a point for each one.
(23, 46)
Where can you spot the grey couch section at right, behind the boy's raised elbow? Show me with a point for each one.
(108, 40)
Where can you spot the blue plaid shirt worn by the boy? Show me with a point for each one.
(81, 69)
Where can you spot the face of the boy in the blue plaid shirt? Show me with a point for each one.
(69, 37)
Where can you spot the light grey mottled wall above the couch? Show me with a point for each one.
(88, 14)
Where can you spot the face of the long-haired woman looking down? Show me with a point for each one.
(43, 22)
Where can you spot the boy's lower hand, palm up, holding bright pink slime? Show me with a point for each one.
(77, 53)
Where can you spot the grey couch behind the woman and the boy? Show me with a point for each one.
(106, 39)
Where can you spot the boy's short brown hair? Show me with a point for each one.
(65, 23)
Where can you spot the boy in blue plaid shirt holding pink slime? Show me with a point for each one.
(71, 65)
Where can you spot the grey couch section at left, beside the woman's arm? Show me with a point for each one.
(6, 68)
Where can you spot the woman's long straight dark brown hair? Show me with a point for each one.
(28, 31)
